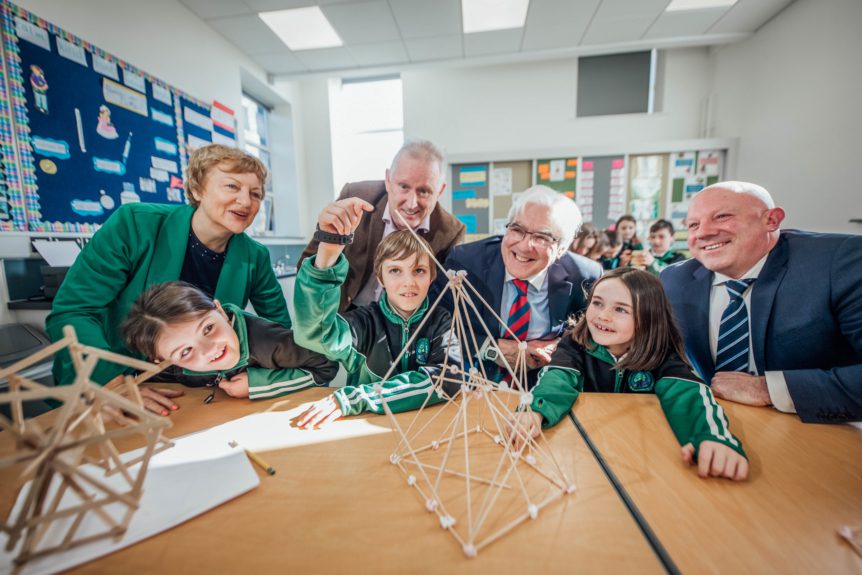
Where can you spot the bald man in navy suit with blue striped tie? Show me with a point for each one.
(770, 317)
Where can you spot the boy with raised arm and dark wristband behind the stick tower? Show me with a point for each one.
(368, 339)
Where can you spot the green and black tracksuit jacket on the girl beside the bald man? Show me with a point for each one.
(688, 404)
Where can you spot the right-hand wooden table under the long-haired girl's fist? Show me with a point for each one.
(805, 481)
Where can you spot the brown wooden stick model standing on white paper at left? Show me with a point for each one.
(60, 493)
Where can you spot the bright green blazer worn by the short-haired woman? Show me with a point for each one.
(141, 245)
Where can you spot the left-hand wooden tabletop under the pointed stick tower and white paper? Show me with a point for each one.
(341, 507)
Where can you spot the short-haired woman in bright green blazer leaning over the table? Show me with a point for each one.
(202, 243)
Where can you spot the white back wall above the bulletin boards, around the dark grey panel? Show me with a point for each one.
(531, 106)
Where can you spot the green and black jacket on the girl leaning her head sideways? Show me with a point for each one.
(275, 364)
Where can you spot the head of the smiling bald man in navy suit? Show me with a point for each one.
(731, 226)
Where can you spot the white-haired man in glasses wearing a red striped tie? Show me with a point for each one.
(525, 279)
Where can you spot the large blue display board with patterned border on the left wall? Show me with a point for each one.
(89, 131)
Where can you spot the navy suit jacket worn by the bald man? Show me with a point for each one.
(806, 320)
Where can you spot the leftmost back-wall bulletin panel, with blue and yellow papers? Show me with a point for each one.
(470, 201)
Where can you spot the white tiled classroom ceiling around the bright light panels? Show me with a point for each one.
(390, 35)
